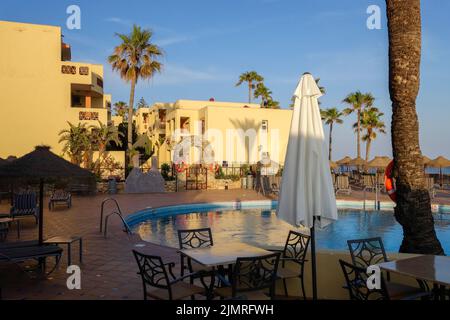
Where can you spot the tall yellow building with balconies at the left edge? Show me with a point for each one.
(41, 89)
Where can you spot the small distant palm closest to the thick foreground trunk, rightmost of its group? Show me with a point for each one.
(371, 123)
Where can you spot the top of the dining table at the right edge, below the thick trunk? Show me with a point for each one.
(427, 267)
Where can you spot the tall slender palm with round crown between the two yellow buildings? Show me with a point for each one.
(135, 58)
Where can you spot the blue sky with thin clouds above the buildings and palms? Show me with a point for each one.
(207, 44)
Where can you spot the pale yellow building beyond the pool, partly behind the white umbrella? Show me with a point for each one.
(238, 133)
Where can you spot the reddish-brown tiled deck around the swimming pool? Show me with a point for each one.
(108, 268)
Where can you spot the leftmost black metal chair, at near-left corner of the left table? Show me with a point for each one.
(155, 273)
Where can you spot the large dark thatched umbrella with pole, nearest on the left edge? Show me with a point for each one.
(43, 165)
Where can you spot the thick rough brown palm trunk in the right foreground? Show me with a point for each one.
(413, 209)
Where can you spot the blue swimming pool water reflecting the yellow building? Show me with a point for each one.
(259, 226)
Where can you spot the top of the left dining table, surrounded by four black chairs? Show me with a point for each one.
(223, 254)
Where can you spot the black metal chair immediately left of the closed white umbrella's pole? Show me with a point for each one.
(294, 251)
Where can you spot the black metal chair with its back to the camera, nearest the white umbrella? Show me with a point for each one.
(251, 277)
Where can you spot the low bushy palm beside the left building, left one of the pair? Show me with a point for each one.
(76, 141)
